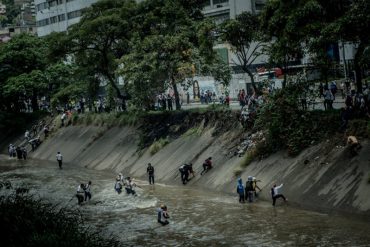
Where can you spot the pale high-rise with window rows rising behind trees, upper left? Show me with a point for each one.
(58, 15)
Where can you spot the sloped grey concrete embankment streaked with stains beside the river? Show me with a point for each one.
(321, 177)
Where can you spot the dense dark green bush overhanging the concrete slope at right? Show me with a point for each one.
(289, 127)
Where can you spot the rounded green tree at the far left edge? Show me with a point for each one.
(21, 61)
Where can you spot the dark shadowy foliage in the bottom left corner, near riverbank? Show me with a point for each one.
(26, 221)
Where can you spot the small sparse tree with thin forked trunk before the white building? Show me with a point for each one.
(243, 34)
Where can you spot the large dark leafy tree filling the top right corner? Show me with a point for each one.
(311, 26)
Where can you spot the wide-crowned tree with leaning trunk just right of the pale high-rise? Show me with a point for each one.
(101, 38)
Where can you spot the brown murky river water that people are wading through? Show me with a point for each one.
(198, 218)
